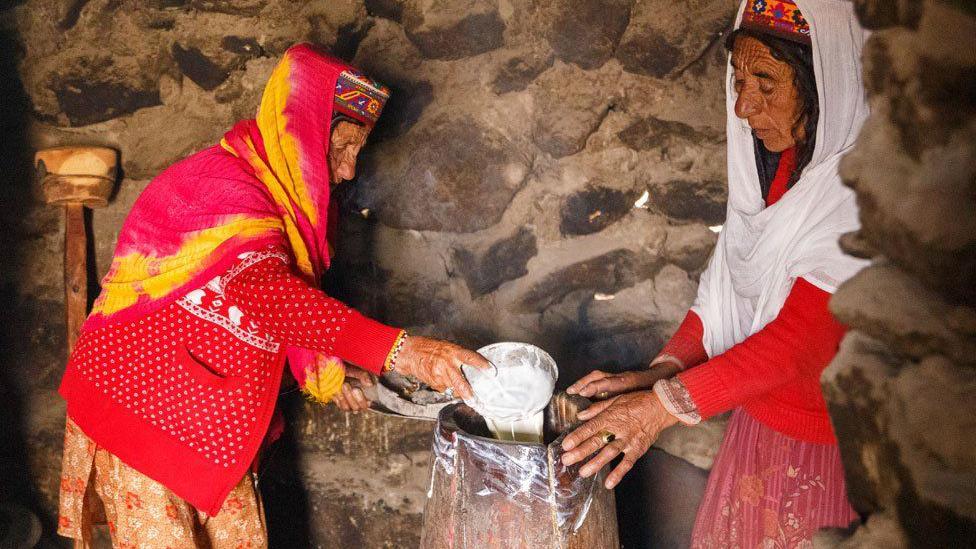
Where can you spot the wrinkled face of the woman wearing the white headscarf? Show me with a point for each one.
(766, 95)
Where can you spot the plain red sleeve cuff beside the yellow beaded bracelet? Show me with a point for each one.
(366, 343)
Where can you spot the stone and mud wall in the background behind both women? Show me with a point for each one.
(496, 200)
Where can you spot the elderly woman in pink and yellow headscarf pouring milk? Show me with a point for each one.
(171, 387)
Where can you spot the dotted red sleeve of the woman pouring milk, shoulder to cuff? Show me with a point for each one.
(303, 316)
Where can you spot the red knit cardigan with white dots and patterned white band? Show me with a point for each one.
(185, 394)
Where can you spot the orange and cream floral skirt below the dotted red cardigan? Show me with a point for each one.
(97, 488)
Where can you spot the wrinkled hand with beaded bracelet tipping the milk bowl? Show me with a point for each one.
(438, 364)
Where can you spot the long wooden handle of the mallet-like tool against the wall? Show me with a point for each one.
(75, 271)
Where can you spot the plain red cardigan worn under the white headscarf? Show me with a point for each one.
(773, 374)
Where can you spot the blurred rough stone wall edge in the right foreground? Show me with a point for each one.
(902, 391)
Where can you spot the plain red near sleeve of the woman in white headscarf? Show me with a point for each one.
(800, 341)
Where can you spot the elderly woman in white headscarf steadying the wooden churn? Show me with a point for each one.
(759, 333)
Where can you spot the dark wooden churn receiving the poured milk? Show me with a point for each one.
(487, 493)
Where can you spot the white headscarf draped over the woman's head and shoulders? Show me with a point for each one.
(762, 251)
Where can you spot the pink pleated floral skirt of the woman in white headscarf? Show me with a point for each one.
(768, 490)
